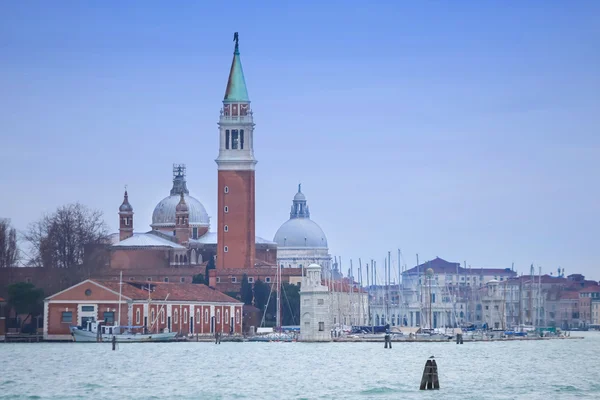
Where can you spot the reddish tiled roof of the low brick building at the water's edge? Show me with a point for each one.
(176, 291)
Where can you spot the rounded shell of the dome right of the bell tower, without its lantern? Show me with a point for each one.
(300, 232)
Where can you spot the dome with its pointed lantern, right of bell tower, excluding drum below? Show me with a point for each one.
(300, 230)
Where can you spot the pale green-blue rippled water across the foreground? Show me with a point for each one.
(558, 369)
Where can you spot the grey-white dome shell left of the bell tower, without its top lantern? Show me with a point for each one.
(164, 212)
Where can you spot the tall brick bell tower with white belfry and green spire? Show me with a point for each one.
(236, 163)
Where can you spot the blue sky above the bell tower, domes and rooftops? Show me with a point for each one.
(463, 130)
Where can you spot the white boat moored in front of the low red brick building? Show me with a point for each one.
(96, 332)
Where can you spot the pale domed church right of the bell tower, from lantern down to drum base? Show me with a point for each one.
(300, 240)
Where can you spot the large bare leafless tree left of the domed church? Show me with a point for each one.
(58, 240)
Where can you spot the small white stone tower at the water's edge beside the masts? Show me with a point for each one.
(315, 324)
